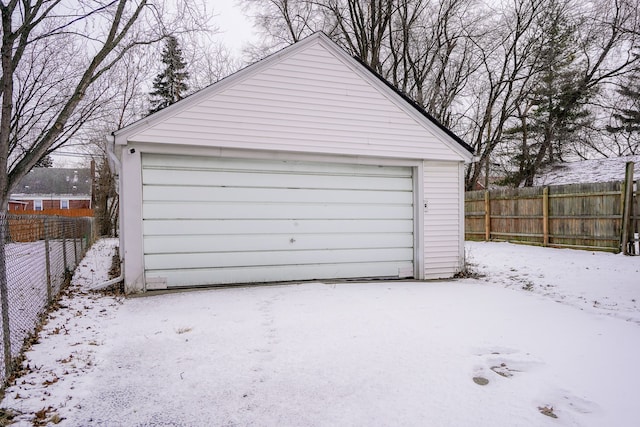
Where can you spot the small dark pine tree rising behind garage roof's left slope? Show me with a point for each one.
(170, 84)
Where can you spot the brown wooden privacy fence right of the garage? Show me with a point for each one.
(580, 216)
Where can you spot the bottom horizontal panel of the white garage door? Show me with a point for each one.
(202, 277)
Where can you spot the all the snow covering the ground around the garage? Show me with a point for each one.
(552, 330)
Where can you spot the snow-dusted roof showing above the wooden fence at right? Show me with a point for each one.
(586, 171)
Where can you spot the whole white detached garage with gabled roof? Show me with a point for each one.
(303, 166)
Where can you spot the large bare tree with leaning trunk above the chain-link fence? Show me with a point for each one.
(28, 132)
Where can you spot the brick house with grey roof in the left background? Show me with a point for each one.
(44, 189)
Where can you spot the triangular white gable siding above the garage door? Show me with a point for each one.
(312, 100)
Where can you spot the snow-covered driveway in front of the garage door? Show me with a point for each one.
(362, 354)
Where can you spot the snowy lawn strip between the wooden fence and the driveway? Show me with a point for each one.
(591, 281)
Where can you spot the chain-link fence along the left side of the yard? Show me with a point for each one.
(38, 255)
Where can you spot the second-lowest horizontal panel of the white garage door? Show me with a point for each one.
(273, 258)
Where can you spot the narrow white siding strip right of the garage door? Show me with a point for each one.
(443, 230)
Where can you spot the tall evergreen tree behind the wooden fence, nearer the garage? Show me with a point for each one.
(555, 108)
